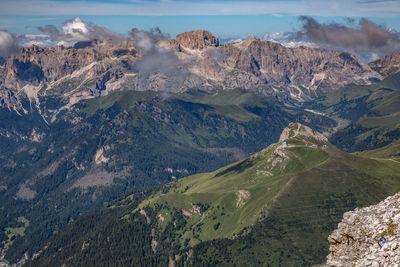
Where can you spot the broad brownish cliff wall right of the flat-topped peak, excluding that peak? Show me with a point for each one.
(302, 66)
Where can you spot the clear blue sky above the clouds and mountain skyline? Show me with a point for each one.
(225, 18)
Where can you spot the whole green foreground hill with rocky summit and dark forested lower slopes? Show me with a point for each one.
(275, 208)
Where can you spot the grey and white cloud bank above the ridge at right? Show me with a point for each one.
(365, 39)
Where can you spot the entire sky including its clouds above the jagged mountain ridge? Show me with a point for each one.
(370, 29)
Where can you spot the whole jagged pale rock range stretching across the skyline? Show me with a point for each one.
(193, 60)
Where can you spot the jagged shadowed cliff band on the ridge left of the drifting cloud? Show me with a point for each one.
(48, 64)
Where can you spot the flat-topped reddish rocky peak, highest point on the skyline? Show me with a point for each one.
(198, 39)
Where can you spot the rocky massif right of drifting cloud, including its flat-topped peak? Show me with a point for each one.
(267, 65)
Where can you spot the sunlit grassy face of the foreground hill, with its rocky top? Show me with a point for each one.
(237, 195)
